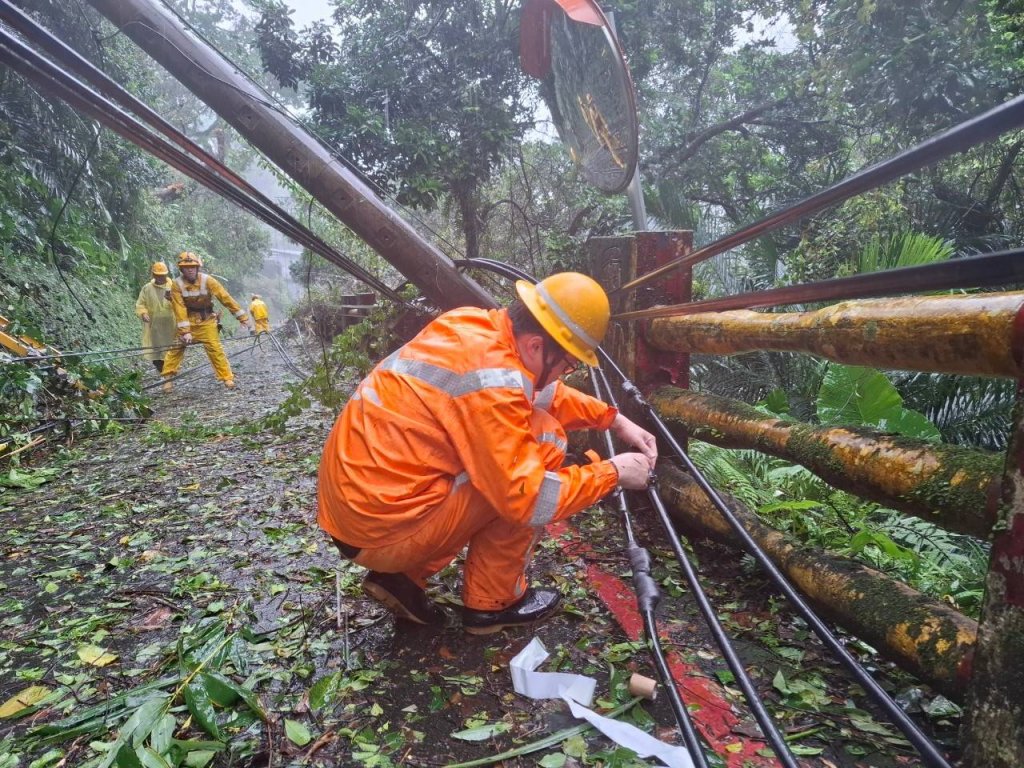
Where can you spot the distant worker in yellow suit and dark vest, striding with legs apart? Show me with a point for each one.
(192, 296)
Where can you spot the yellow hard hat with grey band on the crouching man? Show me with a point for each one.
(573, 309)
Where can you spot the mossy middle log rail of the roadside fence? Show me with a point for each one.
(952, 487)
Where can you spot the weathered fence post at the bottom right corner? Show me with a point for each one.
(994, 728)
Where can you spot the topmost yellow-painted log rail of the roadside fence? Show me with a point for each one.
(974, 335)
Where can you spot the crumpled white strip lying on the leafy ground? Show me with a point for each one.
(578, 692)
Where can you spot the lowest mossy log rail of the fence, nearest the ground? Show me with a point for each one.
(924, 636)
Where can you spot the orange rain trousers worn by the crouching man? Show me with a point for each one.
(500, 550)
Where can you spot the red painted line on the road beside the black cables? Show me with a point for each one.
(715, 718)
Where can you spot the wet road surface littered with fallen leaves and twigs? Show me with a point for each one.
(181, 560)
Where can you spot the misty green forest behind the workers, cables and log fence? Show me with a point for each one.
(746, 106)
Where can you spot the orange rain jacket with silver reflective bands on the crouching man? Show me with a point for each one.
(453, 405)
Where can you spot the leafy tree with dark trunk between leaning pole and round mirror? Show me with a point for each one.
(426, 99)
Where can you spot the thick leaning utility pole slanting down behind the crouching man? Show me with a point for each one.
(240, 103)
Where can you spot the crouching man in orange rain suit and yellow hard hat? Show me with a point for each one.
(459, 439)
